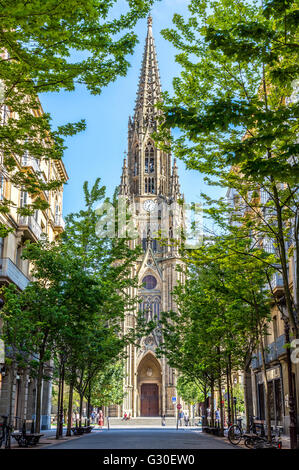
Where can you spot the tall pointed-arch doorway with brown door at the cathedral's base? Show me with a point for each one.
(149, 386)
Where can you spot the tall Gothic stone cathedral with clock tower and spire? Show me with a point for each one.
(150, 184)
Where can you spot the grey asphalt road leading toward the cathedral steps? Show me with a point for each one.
(144, 439)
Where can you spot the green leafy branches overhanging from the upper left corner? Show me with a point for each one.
(48, 47)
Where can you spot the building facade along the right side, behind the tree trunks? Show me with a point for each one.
(274, 343)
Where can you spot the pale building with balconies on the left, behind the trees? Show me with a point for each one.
(20, 387)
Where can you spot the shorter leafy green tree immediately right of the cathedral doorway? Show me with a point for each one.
(222, 312)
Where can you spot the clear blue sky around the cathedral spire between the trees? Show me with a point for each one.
(99, 151)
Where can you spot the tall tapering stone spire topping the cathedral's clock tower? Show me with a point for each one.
(149, 89)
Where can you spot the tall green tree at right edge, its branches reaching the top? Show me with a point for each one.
(236, 106)
